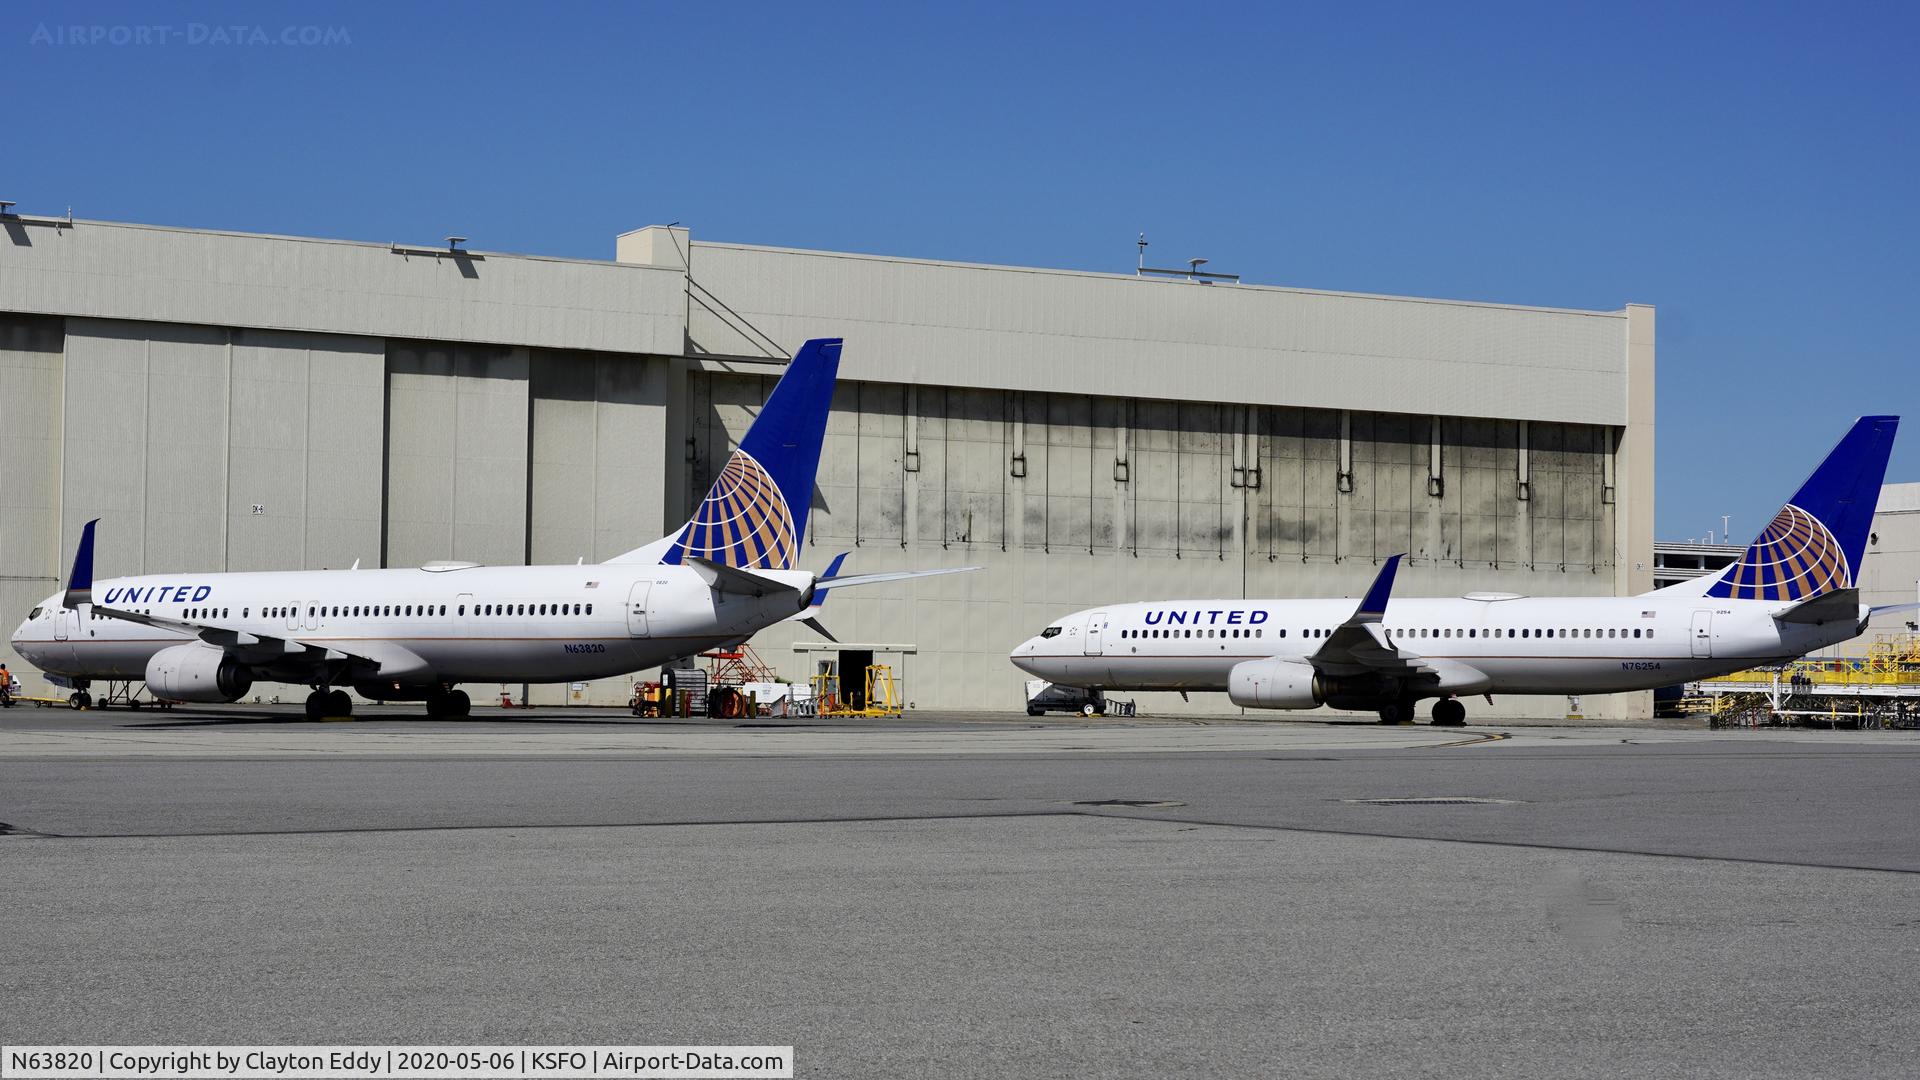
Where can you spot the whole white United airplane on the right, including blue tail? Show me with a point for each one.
(1790, 595)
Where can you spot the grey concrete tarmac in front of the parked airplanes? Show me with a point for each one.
(971, 896)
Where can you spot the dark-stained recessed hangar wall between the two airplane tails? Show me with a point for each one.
(1078, 501)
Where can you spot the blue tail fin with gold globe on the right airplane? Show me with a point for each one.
(1817, 541)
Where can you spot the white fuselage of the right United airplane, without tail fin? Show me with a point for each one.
(1520, 645)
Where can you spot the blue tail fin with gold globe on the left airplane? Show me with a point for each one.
(756, 514)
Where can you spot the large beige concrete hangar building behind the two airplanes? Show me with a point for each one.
(229, 403)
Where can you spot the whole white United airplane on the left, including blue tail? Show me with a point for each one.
(414, 635)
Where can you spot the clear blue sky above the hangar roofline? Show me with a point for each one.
(1750, 170)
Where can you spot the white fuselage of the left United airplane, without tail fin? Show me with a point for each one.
(418, 626)
